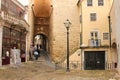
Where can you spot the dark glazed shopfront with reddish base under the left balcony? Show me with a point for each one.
(12, 37)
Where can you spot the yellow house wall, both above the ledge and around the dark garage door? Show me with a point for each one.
(101, 24)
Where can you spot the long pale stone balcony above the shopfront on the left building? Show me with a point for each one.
(13, 19)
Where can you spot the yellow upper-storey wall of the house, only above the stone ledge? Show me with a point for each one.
(101, 24)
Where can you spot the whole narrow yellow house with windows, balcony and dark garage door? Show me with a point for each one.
(95, 38)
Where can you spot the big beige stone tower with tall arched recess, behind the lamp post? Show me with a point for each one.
(47, 17)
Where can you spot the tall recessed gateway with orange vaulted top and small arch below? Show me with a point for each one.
(40, 23)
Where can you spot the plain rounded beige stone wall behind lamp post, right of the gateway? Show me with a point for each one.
(63, 10)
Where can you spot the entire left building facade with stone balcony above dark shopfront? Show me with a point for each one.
(13, 30)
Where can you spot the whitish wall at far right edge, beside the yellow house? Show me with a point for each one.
(115, 20)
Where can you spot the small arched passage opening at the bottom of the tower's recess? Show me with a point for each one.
(41, 45)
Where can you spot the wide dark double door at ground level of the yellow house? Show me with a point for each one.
(94, 60)
